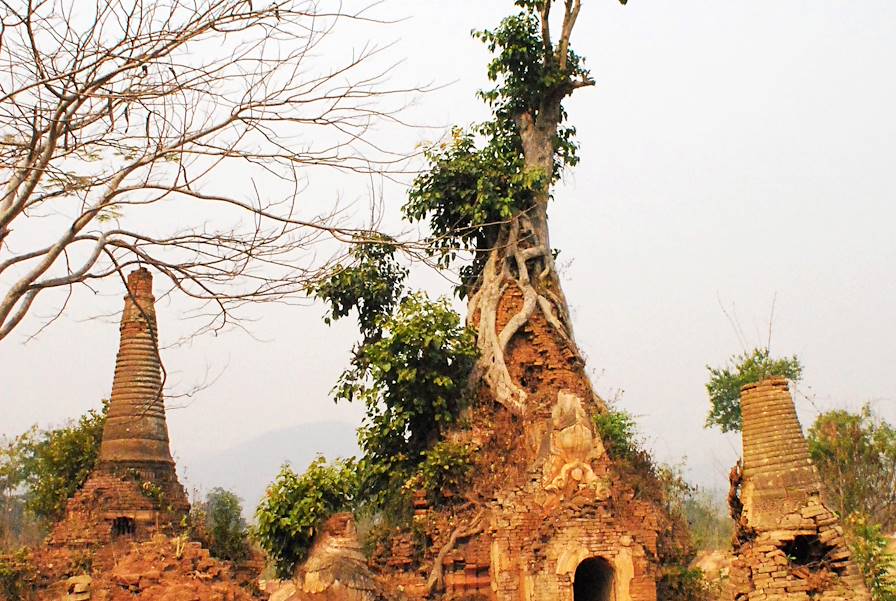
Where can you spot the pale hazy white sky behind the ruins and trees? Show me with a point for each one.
(737, 169)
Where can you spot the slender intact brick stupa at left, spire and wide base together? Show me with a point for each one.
(133, 491)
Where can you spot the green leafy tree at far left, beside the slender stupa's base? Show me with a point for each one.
(52, 465)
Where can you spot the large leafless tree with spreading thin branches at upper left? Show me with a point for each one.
(176, 134)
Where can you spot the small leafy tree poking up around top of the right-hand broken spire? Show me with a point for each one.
(747, 368)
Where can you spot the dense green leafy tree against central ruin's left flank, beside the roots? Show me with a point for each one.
(412, 381)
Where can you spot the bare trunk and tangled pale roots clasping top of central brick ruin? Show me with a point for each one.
(524, 335)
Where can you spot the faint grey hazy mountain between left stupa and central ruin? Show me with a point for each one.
(248, 468)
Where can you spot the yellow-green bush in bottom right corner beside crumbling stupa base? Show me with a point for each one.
(869, 551)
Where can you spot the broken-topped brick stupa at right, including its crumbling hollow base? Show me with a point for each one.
(788, 544)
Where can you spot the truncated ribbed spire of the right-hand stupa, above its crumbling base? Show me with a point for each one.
(778, 475)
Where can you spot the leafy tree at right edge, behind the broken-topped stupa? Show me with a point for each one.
(855, 454)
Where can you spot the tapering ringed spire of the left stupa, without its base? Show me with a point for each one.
(136, 435)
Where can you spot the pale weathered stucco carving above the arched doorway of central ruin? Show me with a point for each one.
(573, 446)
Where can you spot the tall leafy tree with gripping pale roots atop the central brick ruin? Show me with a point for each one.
(486, 195)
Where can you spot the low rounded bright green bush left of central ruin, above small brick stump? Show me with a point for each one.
(295, 506)
